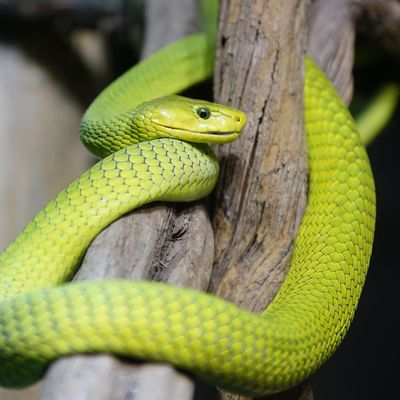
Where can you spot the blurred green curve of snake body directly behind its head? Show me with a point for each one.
(107, 124)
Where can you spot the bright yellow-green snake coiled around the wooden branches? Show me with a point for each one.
(152, 144)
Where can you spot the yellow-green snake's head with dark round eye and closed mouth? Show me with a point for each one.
(191, 120)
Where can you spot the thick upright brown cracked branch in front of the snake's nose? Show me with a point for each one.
(262, 191)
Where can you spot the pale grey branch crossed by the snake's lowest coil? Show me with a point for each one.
(171, 244)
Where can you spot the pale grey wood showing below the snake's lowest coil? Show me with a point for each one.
(113, 379)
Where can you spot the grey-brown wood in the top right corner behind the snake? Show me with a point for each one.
(332, 26)
